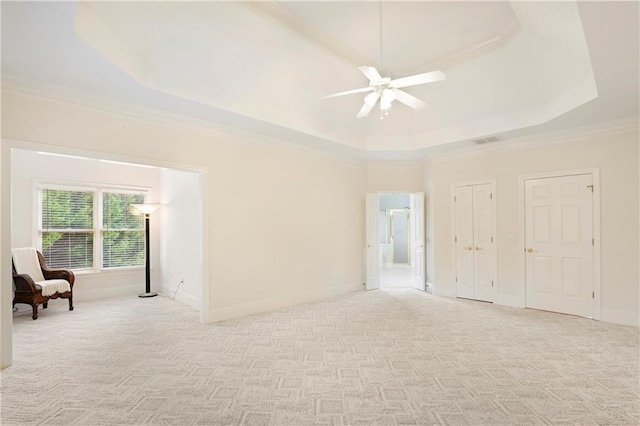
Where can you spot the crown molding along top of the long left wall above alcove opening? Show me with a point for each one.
(63, 95)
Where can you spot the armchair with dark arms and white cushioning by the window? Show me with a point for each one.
(35, 284)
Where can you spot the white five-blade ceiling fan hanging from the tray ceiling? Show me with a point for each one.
(388, 90)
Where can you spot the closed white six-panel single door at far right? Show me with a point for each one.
(559, 244)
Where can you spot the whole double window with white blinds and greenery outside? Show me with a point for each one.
(91, 228)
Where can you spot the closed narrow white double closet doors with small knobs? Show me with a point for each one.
(473, 241)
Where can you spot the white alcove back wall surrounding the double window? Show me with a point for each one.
(29, 167)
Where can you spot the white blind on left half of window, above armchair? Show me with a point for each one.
(67, 228)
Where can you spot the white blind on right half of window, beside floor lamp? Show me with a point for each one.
(122, 232)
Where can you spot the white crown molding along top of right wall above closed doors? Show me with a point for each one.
(569, 134)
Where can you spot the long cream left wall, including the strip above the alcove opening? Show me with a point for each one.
(282, 224)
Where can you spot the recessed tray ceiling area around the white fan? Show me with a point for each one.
(508, 66)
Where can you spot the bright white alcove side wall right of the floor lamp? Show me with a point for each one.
(181, 236)
